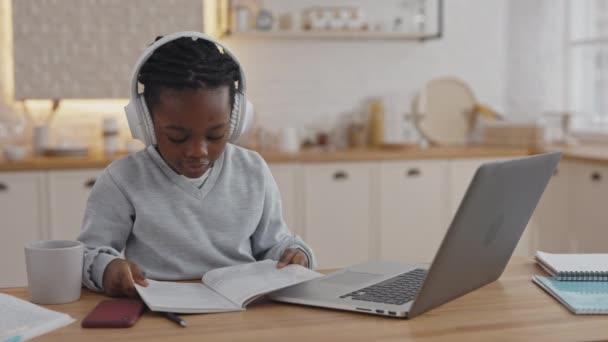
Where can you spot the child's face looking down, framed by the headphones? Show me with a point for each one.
(191, 128)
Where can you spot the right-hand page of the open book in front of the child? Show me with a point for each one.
(241, 283)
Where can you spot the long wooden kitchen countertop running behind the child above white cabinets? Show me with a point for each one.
(586, 153)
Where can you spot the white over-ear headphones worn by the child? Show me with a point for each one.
(138, 115)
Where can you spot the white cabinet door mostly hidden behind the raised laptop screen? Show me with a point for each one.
(460, 175)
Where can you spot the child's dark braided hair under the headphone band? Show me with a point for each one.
(187, 63)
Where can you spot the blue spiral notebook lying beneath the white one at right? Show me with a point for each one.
(581, 297)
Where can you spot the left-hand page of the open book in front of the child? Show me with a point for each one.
(183, 298)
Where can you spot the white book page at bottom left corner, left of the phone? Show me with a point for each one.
(21, 318)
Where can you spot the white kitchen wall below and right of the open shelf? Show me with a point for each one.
(312, 82)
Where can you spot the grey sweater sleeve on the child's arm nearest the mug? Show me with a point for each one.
(107, 224)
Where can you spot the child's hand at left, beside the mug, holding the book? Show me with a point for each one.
(120, 277)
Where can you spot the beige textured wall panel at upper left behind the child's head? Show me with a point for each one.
(86, 48)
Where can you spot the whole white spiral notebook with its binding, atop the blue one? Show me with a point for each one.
(583, 267)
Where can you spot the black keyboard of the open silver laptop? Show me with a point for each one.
(397, 290)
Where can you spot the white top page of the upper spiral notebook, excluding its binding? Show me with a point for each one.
(574, 262)
